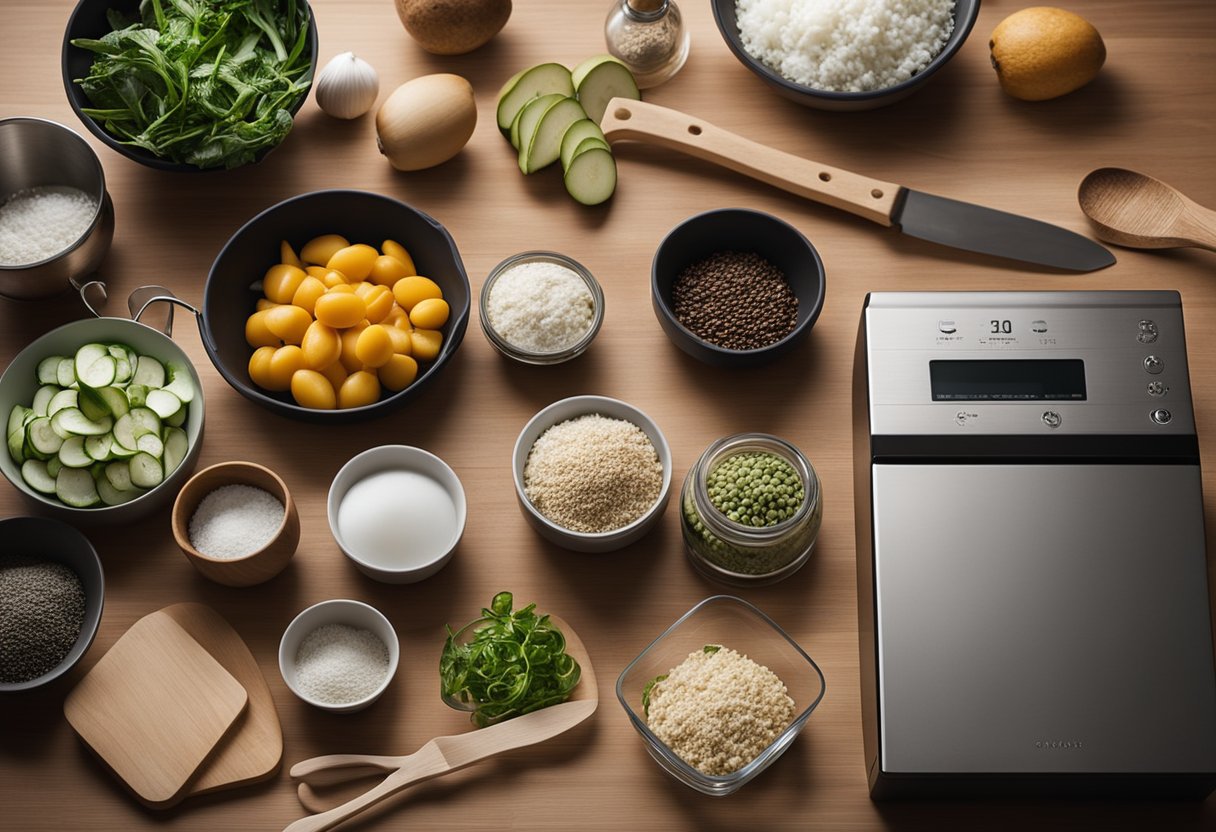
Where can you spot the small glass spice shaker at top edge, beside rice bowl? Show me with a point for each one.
(649, 37)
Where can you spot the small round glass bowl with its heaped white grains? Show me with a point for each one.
(542, 308)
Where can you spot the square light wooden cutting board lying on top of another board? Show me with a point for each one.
(155, 709)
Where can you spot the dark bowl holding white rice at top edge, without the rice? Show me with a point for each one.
(966, 12)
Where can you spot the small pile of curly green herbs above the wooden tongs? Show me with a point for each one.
(508, 664)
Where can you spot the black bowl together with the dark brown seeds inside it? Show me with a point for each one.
(735, 288)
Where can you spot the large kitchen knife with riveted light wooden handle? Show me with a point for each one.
(924, 216)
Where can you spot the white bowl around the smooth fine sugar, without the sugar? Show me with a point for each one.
(397, 458)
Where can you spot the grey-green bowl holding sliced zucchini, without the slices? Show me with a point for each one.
(20, 383)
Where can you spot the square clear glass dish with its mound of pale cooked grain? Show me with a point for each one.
(720, 695)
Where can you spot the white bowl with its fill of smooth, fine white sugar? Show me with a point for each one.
(398, 513)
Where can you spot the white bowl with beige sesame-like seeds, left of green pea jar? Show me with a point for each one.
(593, 474)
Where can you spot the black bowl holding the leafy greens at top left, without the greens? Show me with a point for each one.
(89, 21)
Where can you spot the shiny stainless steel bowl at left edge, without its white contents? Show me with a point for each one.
(35, 154)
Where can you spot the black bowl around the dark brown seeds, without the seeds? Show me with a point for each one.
(738, 231)
